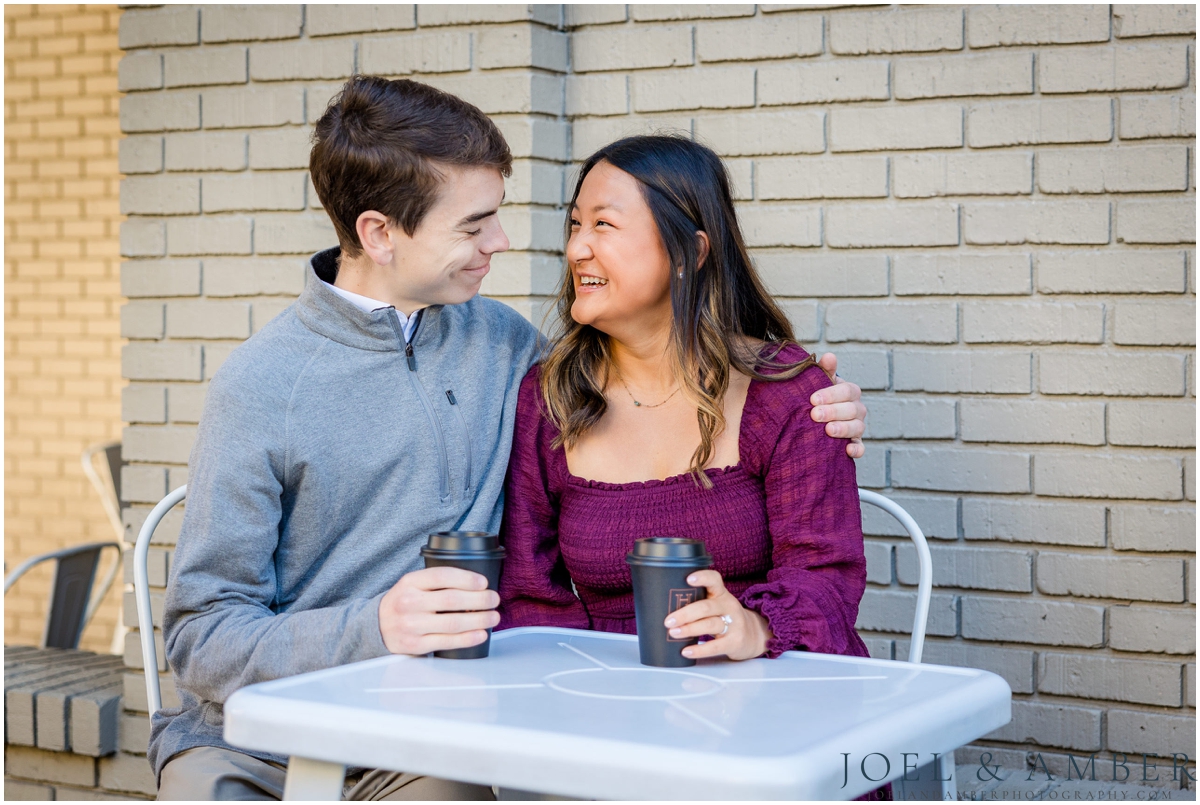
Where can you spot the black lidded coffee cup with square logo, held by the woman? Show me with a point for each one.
(661, 567)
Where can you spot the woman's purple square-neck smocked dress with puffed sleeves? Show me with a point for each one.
(783, 526)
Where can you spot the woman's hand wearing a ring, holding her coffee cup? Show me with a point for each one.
(740, 634)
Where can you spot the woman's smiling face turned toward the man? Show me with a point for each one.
(619, 262)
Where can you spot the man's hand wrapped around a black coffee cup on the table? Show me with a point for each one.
(437, 609)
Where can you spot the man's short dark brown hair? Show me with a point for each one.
(380, 145)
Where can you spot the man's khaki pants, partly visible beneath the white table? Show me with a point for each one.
(211, 773)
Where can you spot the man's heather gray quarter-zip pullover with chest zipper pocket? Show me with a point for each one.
(331, 447)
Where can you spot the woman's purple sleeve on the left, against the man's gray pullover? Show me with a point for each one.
(536, 590)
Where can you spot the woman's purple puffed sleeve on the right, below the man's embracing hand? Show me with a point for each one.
(819, 572)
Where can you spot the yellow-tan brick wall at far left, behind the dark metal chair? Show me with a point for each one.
(63, 371)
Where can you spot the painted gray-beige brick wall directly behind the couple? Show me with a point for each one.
(988, 212)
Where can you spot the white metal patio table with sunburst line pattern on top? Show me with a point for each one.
(573, 713)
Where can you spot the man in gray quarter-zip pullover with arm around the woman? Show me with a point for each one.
(337, 440)
